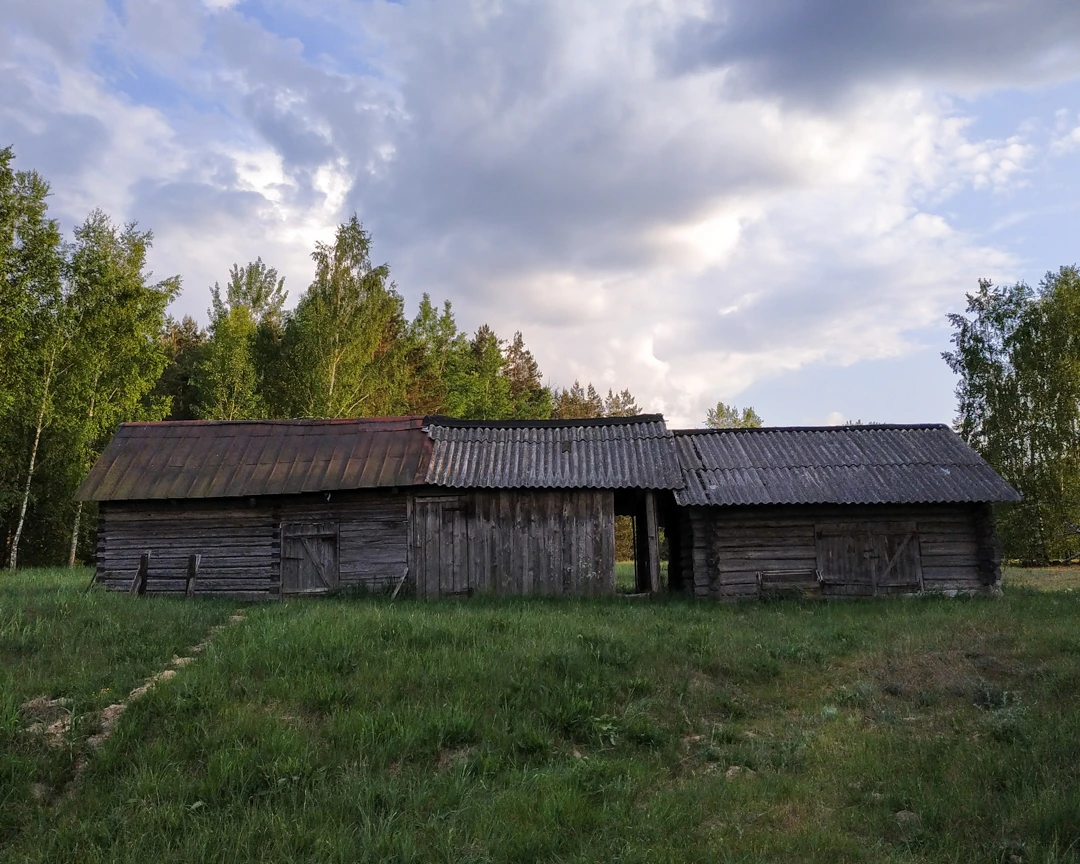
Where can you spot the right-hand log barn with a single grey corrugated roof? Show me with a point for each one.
(865, 510)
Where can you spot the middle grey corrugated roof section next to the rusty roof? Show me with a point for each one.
(603, 454)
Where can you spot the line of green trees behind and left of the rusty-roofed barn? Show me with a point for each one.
(87, 343)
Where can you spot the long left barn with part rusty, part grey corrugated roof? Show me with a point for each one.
(434, 506)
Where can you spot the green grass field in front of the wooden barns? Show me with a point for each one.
(573, 732)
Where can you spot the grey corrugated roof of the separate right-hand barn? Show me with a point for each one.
(872, 465)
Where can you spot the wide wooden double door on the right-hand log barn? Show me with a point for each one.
(869, 558)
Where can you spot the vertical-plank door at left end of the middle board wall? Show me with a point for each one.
(441, 544)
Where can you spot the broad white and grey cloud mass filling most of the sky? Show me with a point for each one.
(545, 166)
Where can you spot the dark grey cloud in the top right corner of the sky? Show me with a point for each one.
(820, 50)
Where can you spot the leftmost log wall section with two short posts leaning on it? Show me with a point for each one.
(238, 544)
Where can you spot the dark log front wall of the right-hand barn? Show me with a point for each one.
(728, 548)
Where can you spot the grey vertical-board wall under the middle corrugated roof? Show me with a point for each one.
(514, 543)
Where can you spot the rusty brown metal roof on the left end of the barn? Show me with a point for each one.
(221, 460)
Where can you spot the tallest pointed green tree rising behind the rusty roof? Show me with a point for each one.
(343, 349)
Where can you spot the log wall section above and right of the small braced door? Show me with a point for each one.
(373, 536)
